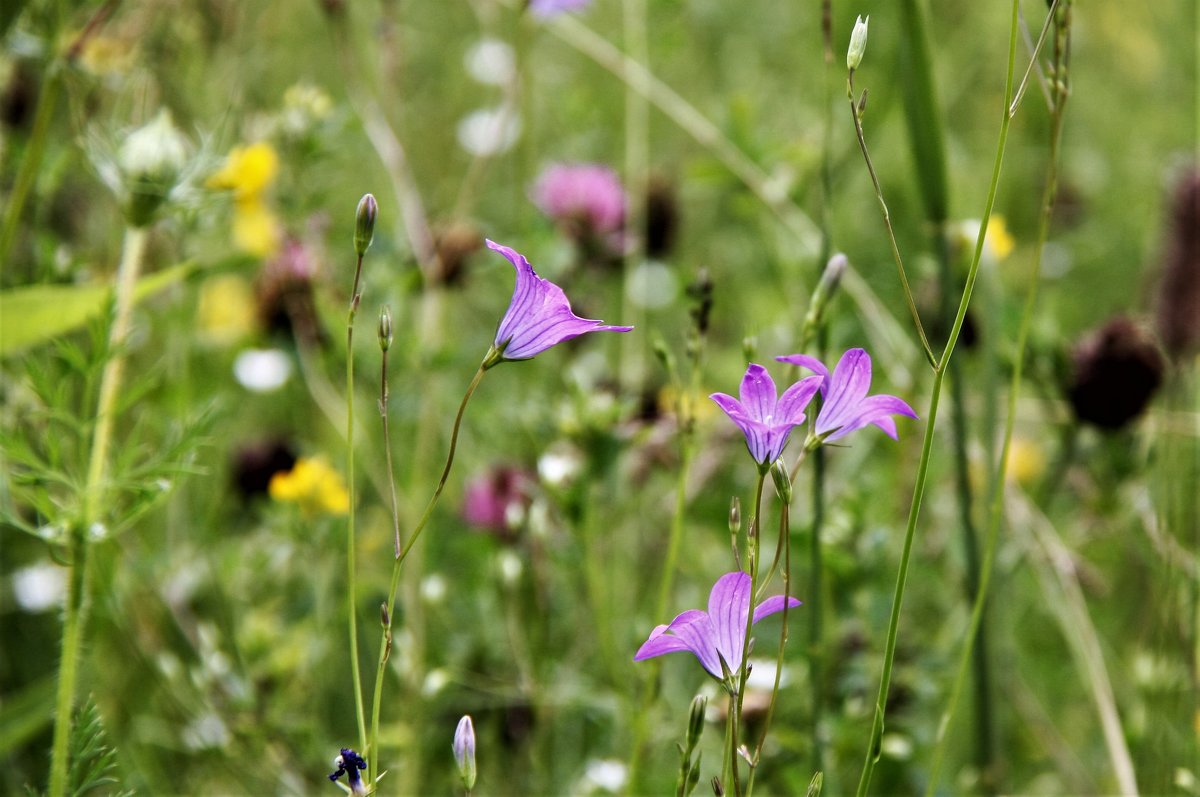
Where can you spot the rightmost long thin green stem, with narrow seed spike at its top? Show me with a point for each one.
(976, 628)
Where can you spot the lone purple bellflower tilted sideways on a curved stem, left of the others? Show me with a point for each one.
(539, 316)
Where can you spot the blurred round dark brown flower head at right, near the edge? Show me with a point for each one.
(1117, 371)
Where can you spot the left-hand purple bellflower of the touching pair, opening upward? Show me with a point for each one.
(766, 422)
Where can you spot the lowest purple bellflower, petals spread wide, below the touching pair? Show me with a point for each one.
(717, 636)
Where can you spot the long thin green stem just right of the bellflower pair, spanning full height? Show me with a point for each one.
(873, 748)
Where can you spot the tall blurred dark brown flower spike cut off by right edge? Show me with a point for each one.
(1179, 308)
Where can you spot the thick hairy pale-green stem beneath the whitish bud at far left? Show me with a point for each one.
(75, 613)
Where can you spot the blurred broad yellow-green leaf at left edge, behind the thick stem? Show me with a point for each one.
(39, 314)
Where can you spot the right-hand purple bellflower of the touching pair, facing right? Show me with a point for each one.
(847, 406)
